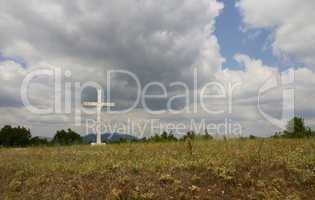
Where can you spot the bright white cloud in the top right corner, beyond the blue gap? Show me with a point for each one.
(292, 25)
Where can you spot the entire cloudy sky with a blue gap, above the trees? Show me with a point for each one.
(268, 56)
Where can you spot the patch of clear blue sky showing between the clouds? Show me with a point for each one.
(232, 39)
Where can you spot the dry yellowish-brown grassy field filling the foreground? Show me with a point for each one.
(233, 169)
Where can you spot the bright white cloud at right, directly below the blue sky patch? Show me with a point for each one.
(254, 76)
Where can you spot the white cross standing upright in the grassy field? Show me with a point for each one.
(99, 105)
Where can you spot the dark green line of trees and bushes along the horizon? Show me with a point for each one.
(21, 137)
